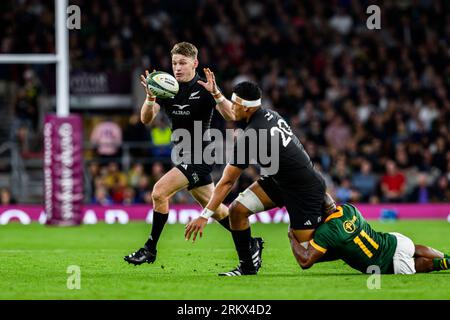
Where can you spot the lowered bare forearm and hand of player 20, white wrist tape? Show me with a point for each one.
(222, 189)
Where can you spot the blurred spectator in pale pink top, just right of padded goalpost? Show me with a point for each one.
(107, 138)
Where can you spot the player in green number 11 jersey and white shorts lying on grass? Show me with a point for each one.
(349, 237)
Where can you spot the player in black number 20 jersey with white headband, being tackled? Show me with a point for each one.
(295, 185)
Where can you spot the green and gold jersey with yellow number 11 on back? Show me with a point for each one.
(353, 240)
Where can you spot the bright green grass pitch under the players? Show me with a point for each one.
(34, 261)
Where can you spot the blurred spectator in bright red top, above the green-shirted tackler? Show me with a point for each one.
(393, 183)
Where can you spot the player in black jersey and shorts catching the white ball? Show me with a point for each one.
(195, 101)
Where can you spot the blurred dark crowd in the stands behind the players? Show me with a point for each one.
(371, 107)
